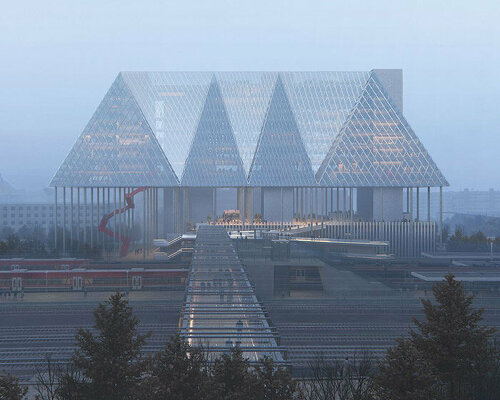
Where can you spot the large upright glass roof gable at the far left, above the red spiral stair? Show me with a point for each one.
(117, 148)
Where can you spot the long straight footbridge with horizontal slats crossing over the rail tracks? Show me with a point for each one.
(221, 310)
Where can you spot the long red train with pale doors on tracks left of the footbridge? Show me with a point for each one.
(80, 279)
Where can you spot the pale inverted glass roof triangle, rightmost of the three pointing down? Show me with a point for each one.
(321, 103)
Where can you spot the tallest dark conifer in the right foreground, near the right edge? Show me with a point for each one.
(451, 338)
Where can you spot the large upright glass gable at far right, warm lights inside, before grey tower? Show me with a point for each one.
(377, 147)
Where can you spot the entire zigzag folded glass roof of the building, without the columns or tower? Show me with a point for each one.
(248, 129)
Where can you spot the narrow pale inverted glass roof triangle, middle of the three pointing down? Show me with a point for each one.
(246, 96)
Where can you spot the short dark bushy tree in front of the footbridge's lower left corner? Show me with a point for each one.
(177, 372)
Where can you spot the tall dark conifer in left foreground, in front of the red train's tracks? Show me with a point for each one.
(108, 365)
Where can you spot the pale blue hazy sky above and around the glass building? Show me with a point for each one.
(58, 58)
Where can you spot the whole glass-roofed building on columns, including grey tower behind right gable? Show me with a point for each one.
(284, 146)
